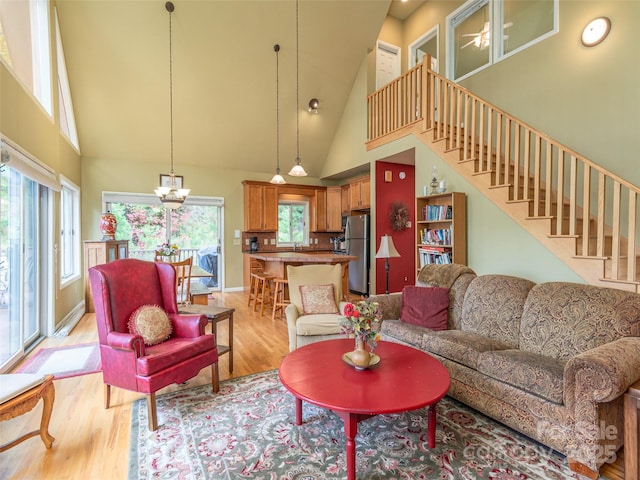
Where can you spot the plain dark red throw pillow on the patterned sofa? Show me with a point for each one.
(425, 306)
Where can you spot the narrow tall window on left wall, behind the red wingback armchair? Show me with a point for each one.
(69, 232)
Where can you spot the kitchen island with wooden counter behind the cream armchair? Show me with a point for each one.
(276, 262)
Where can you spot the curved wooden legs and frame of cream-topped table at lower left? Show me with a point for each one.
(24, 403)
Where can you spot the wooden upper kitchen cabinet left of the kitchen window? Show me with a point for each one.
(260, 208)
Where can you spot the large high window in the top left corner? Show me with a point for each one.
(25, 46)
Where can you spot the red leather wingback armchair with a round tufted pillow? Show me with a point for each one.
(119, 288)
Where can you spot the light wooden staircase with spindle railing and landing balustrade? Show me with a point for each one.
(584, 214)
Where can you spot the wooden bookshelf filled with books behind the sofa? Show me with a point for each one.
(441, 231)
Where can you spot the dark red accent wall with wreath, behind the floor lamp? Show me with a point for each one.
(387, 193)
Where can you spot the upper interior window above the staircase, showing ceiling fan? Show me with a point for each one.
(483, 32)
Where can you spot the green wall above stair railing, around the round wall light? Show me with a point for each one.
(585, 98)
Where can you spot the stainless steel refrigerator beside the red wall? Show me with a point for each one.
(357, 240)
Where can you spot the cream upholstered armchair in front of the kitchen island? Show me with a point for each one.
(305, 328)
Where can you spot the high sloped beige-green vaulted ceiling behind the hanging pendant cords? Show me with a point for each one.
(224, 77)
